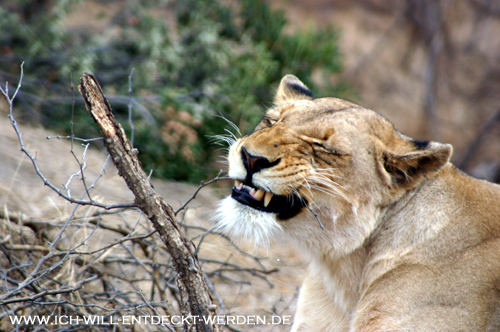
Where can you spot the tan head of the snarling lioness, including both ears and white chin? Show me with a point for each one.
(323, 161)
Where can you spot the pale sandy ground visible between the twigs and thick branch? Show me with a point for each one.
(22, 192)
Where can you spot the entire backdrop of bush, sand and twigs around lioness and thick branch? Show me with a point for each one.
(185, 70)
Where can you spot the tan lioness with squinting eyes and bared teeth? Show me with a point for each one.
(397, 238)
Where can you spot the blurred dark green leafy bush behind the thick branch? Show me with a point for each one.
(216, 63)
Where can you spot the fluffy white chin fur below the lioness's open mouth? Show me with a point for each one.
(234, 218)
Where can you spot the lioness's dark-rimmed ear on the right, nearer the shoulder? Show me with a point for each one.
(408, 168)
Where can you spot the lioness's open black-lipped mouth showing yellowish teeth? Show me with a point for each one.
(285, 207)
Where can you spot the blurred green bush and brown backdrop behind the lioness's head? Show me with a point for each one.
(431, 67)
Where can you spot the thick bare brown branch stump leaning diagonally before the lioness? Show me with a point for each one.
(194, 293)
